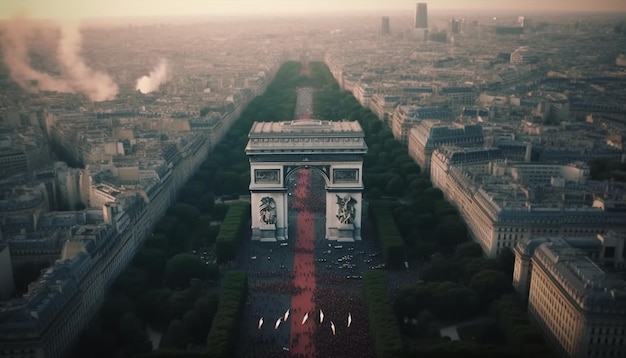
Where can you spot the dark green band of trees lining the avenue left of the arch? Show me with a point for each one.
(162, 286)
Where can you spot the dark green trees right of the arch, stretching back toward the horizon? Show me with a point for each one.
(425, 220)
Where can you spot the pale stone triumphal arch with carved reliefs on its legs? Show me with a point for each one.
(334, 148)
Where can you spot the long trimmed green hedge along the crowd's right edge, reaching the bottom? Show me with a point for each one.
(383, 326)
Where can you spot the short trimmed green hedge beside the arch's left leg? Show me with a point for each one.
(229, 238)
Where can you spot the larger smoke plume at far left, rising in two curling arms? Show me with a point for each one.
(76, 76)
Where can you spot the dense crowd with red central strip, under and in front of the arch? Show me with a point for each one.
(278, 274)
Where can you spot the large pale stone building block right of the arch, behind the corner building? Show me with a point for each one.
(503, 203)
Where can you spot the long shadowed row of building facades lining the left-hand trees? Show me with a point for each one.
(47, 321)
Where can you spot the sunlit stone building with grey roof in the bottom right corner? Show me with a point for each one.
(579, 306)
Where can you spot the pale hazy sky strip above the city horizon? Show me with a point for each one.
(106, 8)
